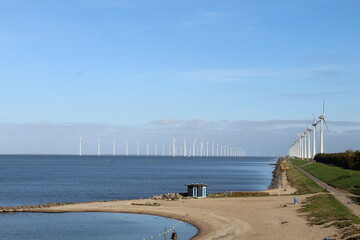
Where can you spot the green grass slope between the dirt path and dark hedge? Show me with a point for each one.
(335, 176)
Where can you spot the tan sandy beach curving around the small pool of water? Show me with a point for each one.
(221, 218)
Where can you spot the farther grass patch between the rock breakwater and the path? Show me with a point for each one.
(302, 183)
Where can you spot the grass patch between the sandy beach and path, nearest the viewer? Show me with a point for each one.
(324, 209)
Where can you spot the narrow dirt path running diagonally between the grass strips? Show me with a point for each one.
(339, 195)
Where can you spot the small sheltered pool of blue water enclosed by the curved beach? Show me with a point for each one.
(88, 226)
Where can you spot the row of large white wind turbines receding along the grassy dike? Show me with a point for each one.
(301, 147)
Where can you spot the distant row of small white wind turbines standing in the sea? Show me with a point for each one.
(197, 149)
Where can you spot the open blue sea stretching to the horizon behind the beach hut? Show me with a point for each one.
(27, 180)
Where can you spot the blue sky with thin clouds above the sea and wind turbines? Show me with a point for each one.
(194, 68)
